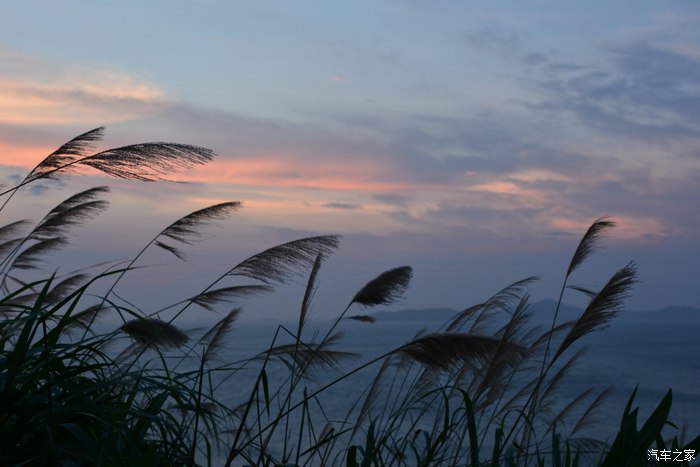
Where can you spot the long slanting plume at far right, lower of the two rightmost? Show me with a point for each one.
(603, 307)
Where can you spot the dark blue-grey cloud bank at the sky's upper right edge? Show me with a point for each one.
(648, 92)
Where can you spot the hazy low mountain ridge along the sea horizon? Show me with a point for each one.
(544, 309)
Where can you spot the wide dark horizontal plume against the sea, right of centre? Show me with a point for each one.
(441, 351)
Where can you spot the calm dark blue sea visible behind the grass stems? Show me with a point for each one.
(651, 355)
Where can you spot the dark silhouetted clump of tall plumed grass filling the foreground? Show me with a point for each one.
(483, 389)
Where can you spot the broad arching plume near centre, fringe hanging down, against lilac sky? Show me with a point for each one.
(276, 264)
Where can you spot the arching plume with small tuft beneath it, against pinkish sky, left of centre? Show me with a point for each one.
(187, 229)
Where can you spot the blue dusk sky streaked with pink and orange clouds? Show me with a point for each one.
(473, 141)
